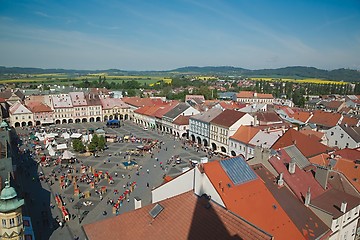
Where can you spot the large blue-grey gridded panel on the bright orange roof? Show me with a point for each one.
(238, 170)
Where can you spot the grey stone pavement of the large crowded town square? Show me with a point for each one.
(39, 195)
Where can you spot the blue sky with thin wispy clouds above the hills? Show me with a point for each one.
(162, 35)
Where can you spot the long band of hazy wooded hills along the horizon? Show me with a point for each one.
(342, 74)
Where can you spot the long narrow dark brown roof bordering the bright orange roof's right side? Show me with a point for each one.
(311, 226)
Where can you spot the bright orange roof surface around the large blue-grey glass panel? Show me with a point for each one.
(252, 201)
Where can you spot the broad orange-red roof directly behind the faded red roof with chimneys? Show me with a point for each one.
(307, 145)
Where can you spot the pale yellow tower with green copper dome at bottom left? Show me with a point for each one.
(11, 226)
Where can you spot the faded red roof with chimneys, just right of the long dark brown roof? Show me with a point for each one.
(300, 181)
